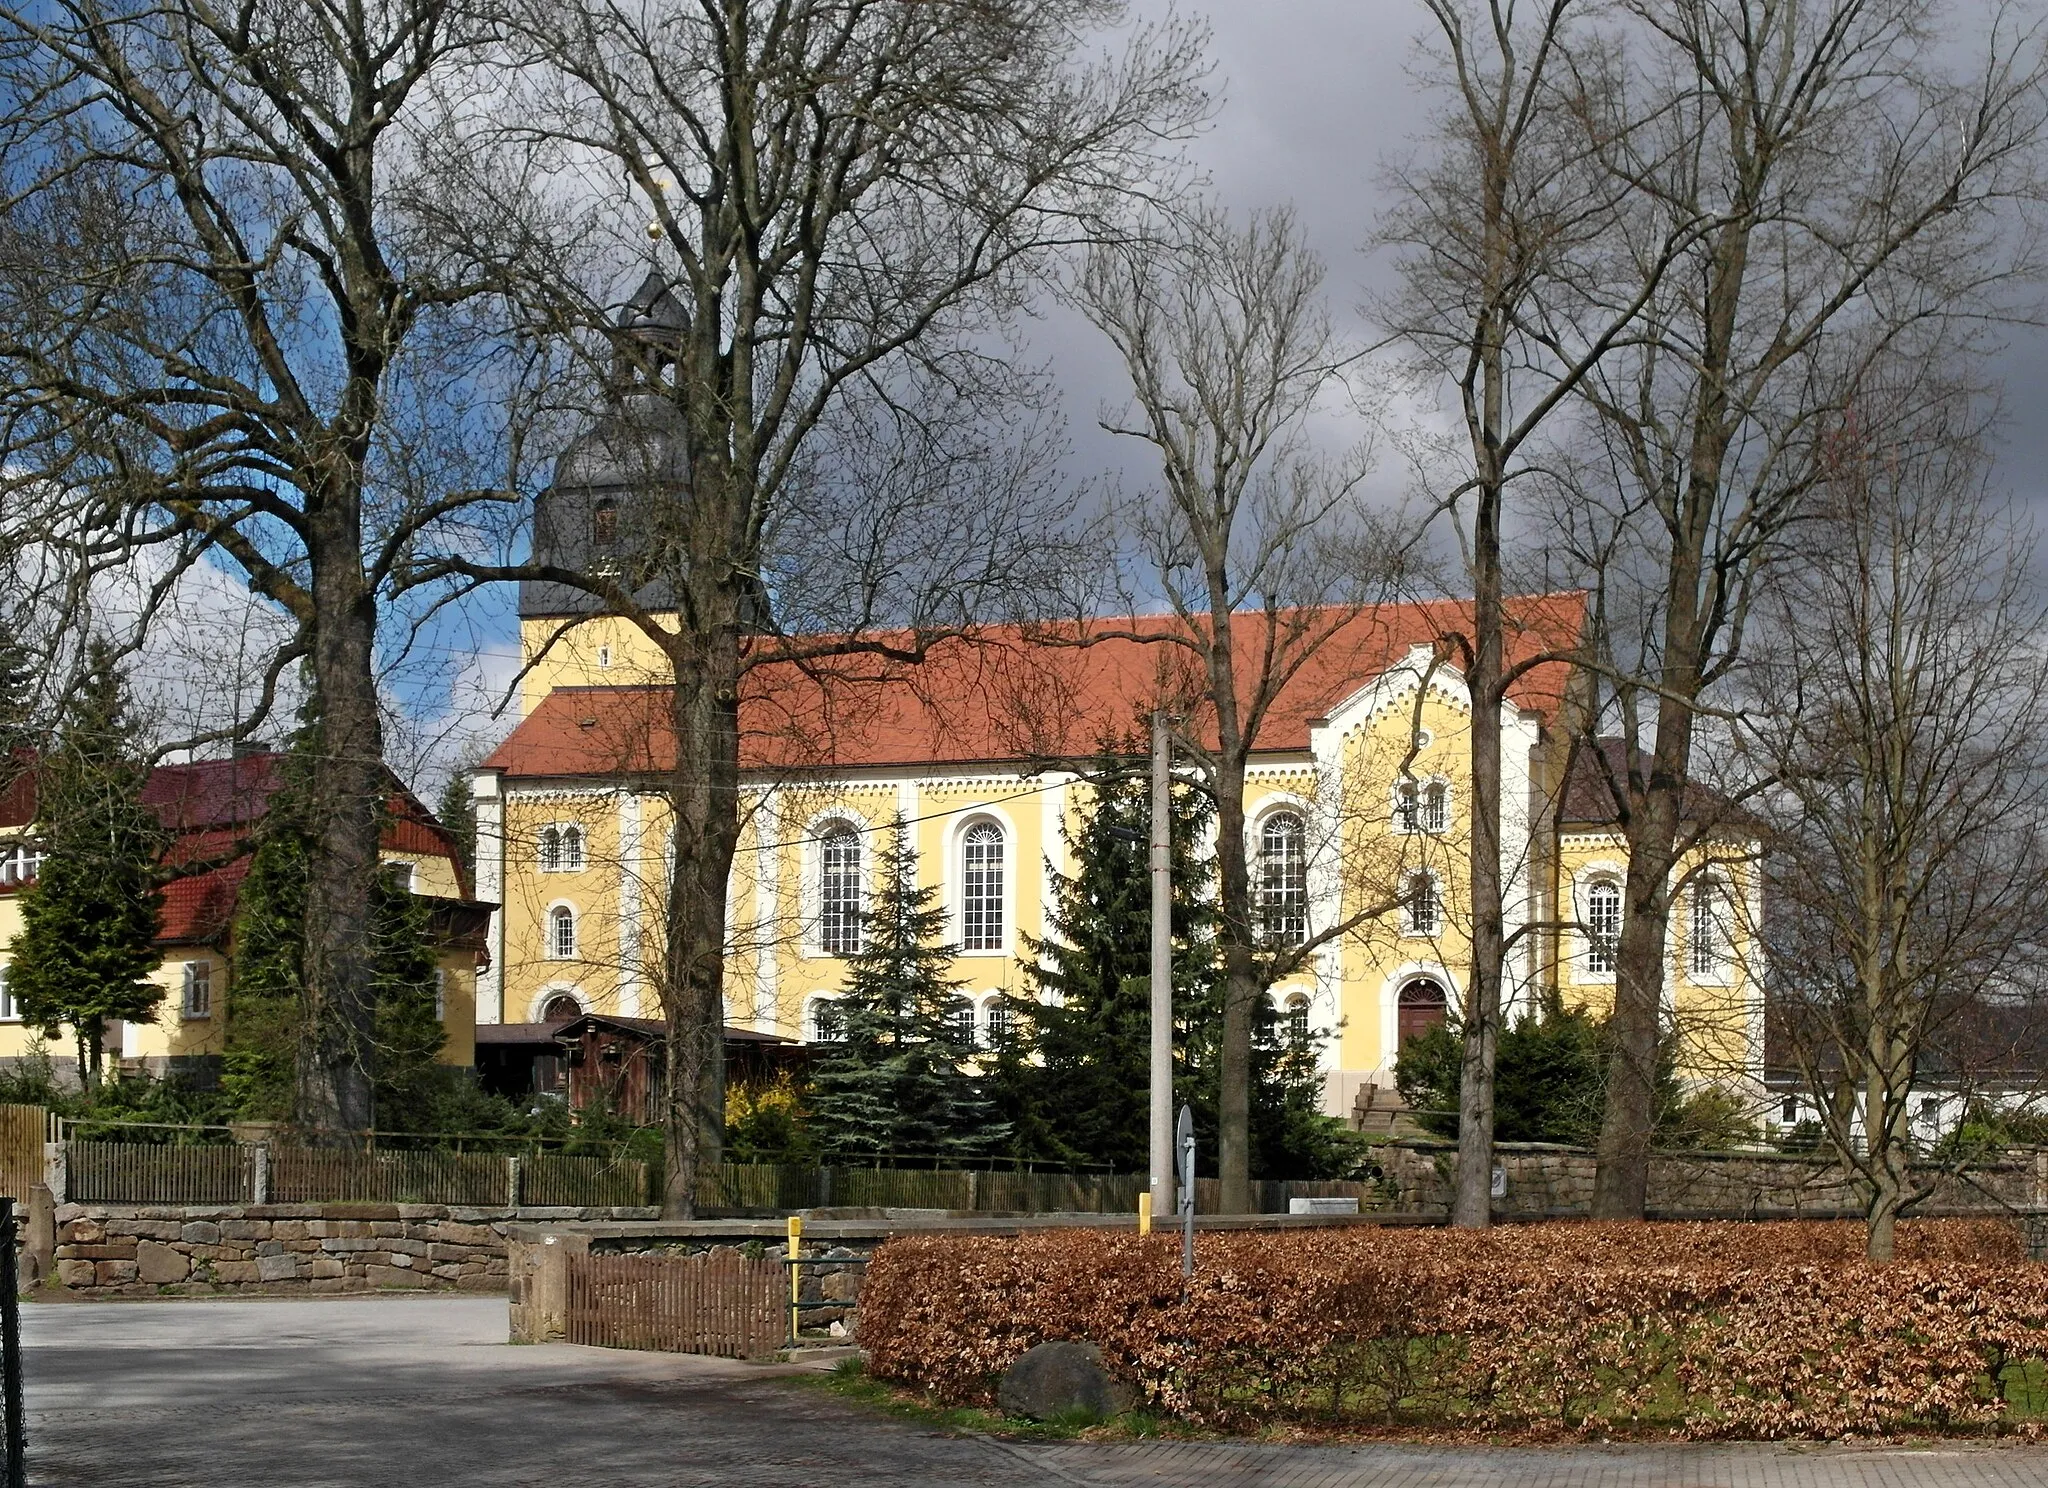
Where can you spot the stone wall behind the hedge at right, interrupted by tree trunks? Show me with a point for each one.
(1560, 1180)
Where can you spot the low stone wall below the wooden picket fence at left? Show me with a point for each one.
(288, 1250)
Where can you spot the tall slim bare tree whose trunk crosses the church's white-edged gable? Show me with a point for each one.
(1500, 230)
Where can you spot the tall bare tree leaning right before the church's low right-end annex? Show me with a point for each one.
(1848, 200)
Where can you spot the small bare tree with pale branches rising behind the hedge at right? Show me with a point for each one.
(1902, 701)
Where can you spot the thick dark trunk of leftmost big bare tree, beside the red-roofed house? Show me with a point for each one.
(337, 1055)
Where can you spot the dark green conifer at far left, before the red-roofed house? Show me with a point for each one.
(87, 943)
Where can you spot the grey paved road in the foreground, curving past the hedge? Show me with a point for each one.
(425, 1393)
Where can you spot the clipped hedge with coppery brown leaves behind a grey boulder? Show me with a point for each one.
(1705, 1329)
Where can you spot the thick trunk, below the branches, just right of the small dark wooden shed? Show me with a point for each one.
(703, 793)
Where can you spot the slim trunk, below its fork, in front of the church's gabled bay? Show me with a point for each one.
(1474, 1202)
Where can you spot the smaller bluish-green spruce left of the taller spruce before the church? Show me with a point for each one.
(900, 1080)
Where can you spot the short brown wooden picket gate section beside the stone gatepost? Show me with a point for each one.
(718, 1303)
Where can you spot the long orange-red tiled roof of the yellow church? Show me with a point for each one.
(1007, 697)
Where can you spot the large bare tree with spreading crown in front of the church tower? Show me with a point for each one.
(847, 202)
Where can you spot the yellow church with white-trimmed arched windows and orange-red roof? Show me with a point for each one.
(1357, 818)
